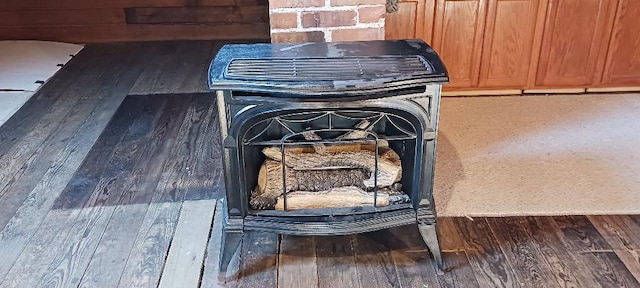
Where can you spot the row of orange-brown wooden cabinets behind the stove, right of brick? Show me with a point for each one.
(527, 44)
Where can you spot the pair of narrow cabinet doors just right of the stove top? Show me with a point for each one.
(485, 44)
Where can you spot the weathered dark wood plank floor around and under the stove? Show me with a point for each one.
(105, 170)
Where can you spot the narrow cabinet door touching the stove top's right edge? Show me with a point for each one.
(457, 38)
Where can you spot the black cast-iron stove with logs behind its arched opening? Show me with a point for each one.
(291, 115)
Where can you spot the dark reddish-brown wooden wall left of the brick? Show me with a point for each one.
(128, 20)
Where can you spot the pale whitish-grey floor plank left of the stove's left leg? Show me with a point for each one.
(186, 255)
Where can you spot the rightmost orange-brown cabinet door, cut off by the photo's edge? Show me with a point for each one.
(623, 58)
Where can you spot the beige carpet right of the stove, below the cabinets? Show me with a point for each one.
(539, 155)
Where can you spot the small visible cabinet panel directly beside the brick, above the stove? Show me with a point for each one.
(402, 24)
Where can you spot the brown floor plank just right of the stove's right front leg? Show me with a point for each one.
(457, 269)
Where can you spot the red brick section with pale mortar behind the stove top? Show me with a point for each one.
(294, 21)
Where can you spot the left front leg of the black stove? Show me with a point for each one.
(229, 251)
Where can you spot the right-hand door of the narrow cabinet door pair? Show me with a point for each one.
(508, 42)
